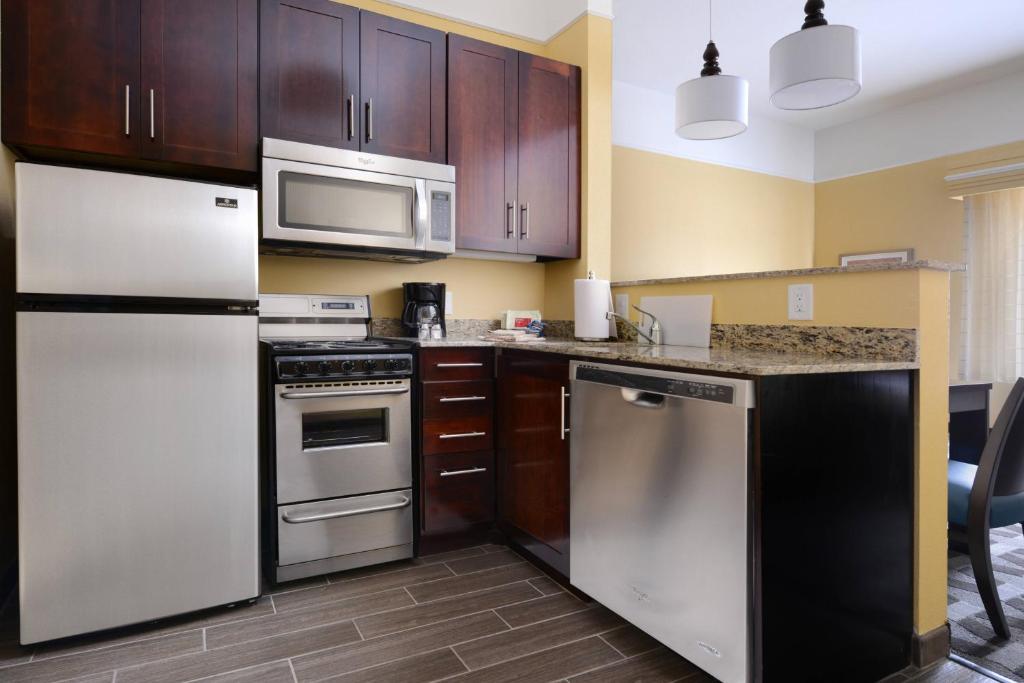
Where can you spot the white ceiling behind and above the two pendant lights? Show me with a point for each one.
(913, 50)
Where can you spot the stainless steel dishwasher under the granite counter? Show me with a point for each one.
(660, 507)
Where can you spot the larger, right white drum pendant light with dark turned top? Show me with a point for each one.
(819, 66)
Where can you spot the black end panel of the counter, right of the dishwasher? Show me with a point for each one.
(836, 526)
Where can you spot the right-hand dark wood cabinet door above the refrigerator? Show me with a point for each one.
(200, 70)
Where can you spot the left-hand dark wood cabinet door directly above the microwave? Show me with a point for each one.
(310, 72)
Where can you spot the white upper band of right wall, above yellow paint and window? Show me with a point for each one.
(982, 116)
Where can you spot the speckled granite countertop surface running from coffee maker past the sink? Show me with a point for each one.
(741, 362)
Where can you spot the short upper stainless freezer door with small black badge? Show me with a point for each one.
(103, 234)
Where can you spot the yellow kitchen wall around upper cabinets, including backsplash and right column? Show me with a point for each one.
(484, 289)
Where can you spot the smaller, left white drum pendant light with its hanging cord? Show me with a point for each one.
(714, 106)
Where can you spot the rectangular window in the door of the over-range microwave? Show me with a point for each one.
(342, 205)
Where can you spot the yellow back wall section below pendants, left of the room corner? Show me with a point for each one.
(676, 218)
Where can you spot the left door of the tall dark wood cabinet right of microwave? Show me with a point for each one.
(483, 143)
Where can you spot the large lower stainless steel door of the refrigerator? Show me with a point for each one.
(138, 467)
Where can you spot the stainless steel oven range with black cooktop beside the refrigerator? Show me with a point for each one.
(337, 438)
